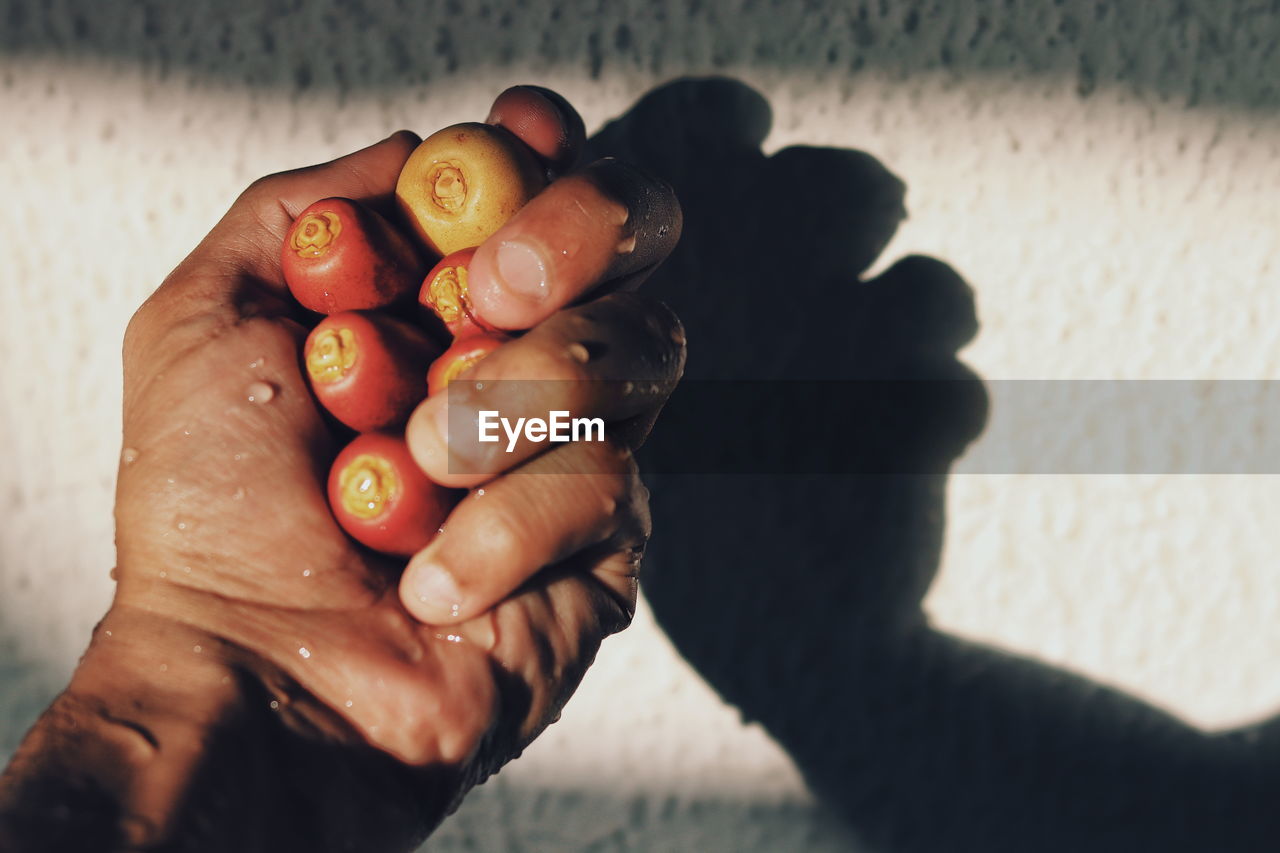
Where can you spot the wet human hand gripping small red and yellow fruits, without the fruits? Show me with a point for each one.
(235, 581)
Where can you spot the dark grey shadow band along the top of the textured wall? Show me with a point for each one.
(1214, 52)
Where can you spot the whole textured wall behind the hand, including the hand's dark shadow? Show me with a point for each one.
(1096, 184)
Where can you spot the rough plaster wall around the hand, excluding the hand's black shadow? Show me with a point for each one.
(1103, 176)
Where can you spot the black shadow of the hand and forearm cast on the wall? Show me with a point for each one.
(798, 597)
